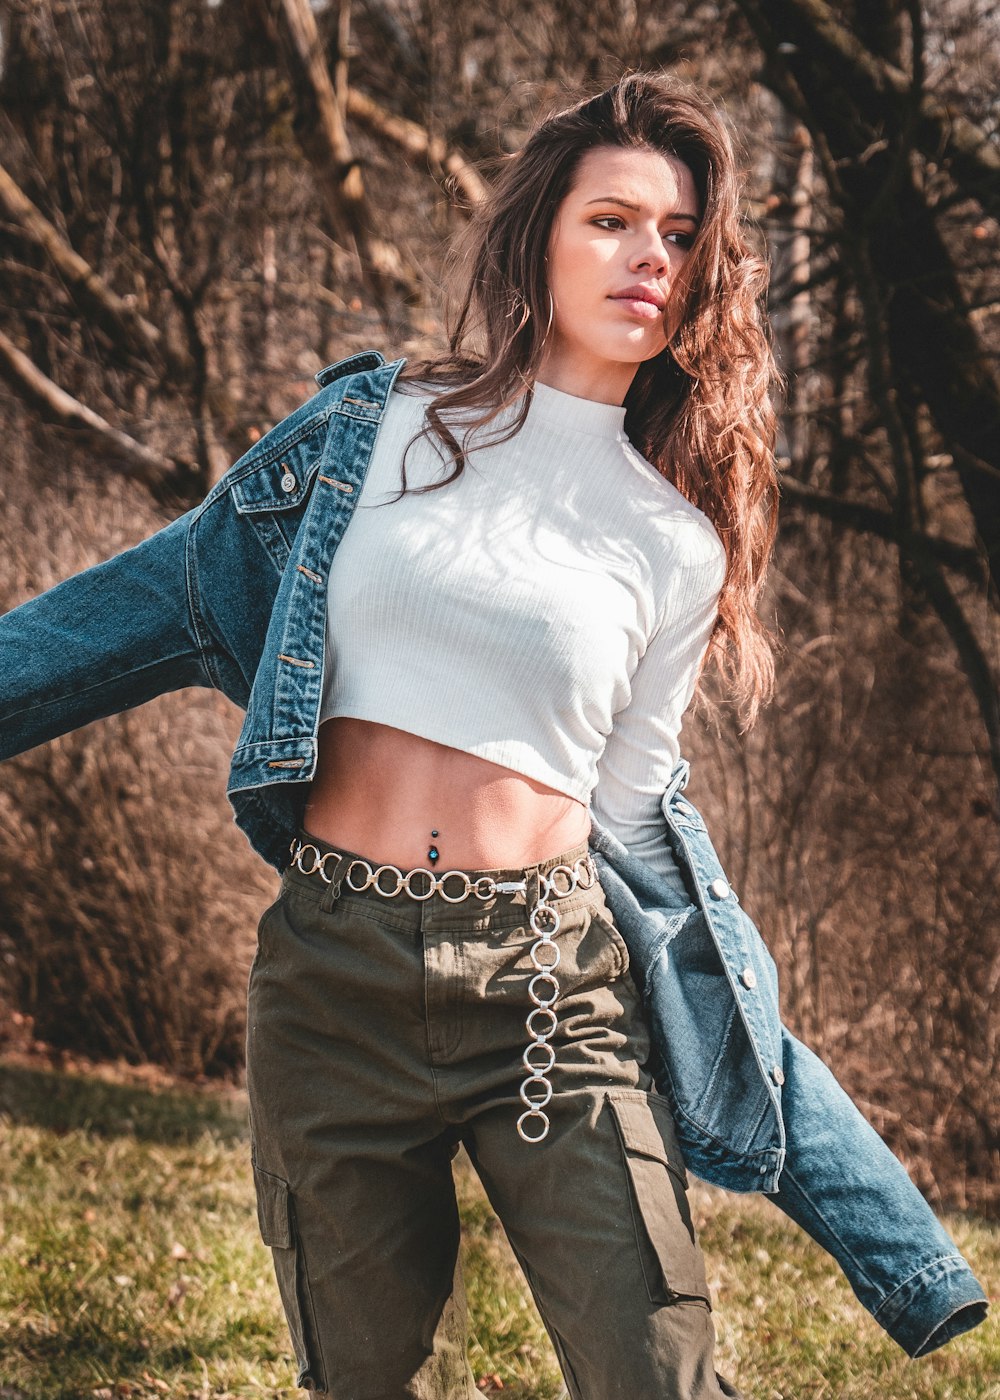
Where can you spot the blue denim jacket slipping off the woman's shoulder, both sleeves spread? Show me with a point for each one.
(235, 596)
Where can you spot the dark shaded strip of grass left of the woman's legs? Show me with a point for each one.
(64, 1102)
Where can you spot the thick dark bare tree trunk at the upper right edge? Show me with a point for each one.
(898, 162)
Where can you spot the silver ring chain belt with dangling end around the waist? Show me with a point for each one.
(540, 1056)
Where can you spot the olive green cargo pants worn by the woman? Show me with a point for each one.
(383, 1034)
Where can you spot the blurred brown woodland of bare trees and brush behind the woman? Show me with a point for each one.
(202, 202)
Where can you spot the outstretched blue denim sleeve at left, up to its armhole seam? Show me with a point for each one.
(106, 640)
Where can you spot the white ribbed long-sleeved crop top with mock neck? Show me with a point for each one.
(547, 611)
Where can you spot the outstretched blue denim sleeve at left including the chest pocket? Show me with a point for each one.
(188, 607)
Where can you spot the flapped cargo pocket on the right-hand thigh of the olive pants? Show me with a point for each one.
(672, 1259)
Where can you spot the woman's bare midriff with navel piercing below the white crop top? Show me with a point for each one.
(382, 792)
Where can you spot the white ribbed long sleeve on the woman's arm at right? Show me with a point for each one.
(644, 745)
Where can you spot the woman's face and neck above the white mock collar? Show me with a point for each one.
(618, 244)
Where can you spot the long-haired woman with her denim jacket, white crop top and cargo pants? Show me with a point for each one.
(463, 716)
